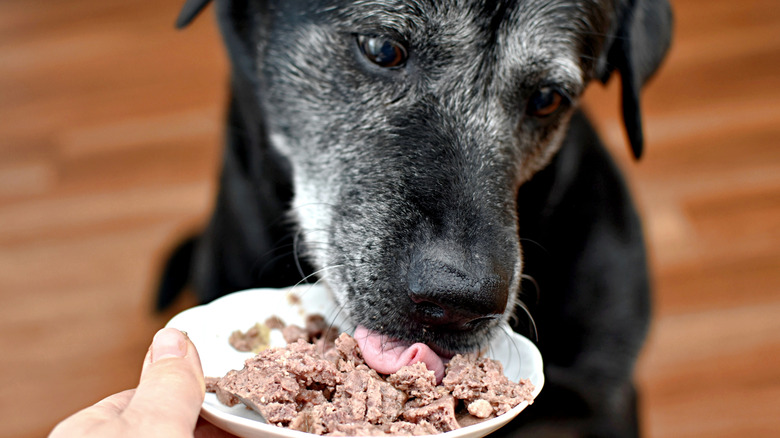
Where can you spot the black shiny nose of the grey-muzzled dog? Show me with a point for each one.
(447, 296)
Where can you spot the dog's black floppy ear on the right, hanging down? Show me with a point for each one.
(644, 32)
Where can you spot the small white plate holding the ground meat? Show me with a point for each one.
(209, 326)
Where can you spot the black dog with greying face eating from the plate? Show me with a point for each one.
(427, 160)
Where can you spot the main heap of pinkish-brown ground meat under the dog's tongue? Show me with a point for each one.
(325, 388)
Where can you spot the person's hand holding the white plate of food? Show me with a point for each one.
(166, 402)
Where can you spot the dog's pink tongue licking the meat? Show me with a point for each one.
(387, 355)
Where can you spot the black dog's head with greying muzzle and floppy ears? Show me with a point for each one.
(409, 126)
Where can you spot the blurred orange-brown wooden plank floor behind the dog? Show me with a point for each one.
(109, 144)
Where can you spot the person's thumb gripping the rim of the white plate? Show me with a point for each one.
(171, 390)
